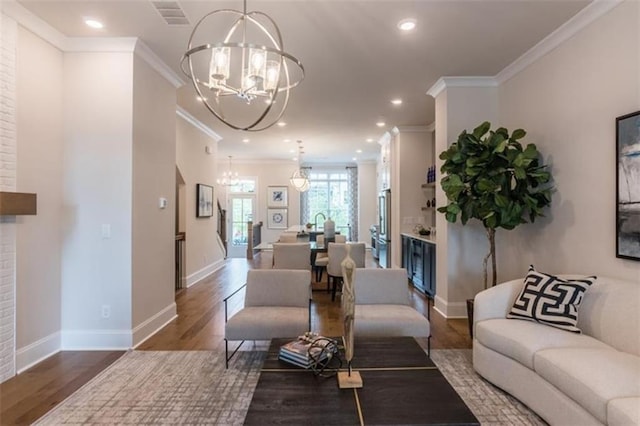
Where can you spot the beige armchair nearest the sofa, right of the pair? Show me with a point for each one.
(382, 305)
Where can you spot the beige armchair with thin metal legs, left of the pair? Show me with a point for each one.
(276, 304)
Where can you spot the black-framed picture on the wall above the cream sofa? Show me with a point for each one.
(628, 186)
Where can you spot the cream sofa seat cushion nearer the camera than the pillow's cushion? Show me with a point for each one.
(591, 377)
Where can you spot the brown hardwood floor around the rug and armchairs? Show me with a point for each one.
(199, 326)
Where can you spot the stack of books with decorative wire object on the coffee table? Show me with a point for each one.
(307, 350)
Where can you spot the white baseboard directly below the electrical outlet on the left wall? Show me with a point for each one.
(96, 340)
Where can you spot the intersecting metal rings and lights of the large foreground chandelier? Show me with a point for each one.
(278, 80)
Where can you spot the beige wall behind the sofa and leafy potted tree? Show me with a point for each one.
(568, 101)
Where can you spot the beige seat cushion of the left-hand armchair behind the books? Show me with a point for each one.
(274, 322)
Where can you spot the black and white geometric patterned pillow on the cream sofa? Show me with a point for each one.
(550, 300)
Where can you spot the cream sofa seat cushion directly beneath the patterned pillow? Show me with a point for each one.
(520, 340)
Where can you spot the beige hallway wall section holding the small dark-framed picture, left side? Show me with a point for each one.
(202, 252)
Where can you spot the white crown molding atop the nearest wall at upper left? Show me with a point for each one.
(45, 31)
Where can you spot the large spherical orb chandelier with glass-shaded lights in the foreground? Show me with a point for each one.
(242, 76)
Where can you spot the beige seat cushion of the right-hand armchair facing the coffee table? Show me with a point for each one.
(389, 320)
